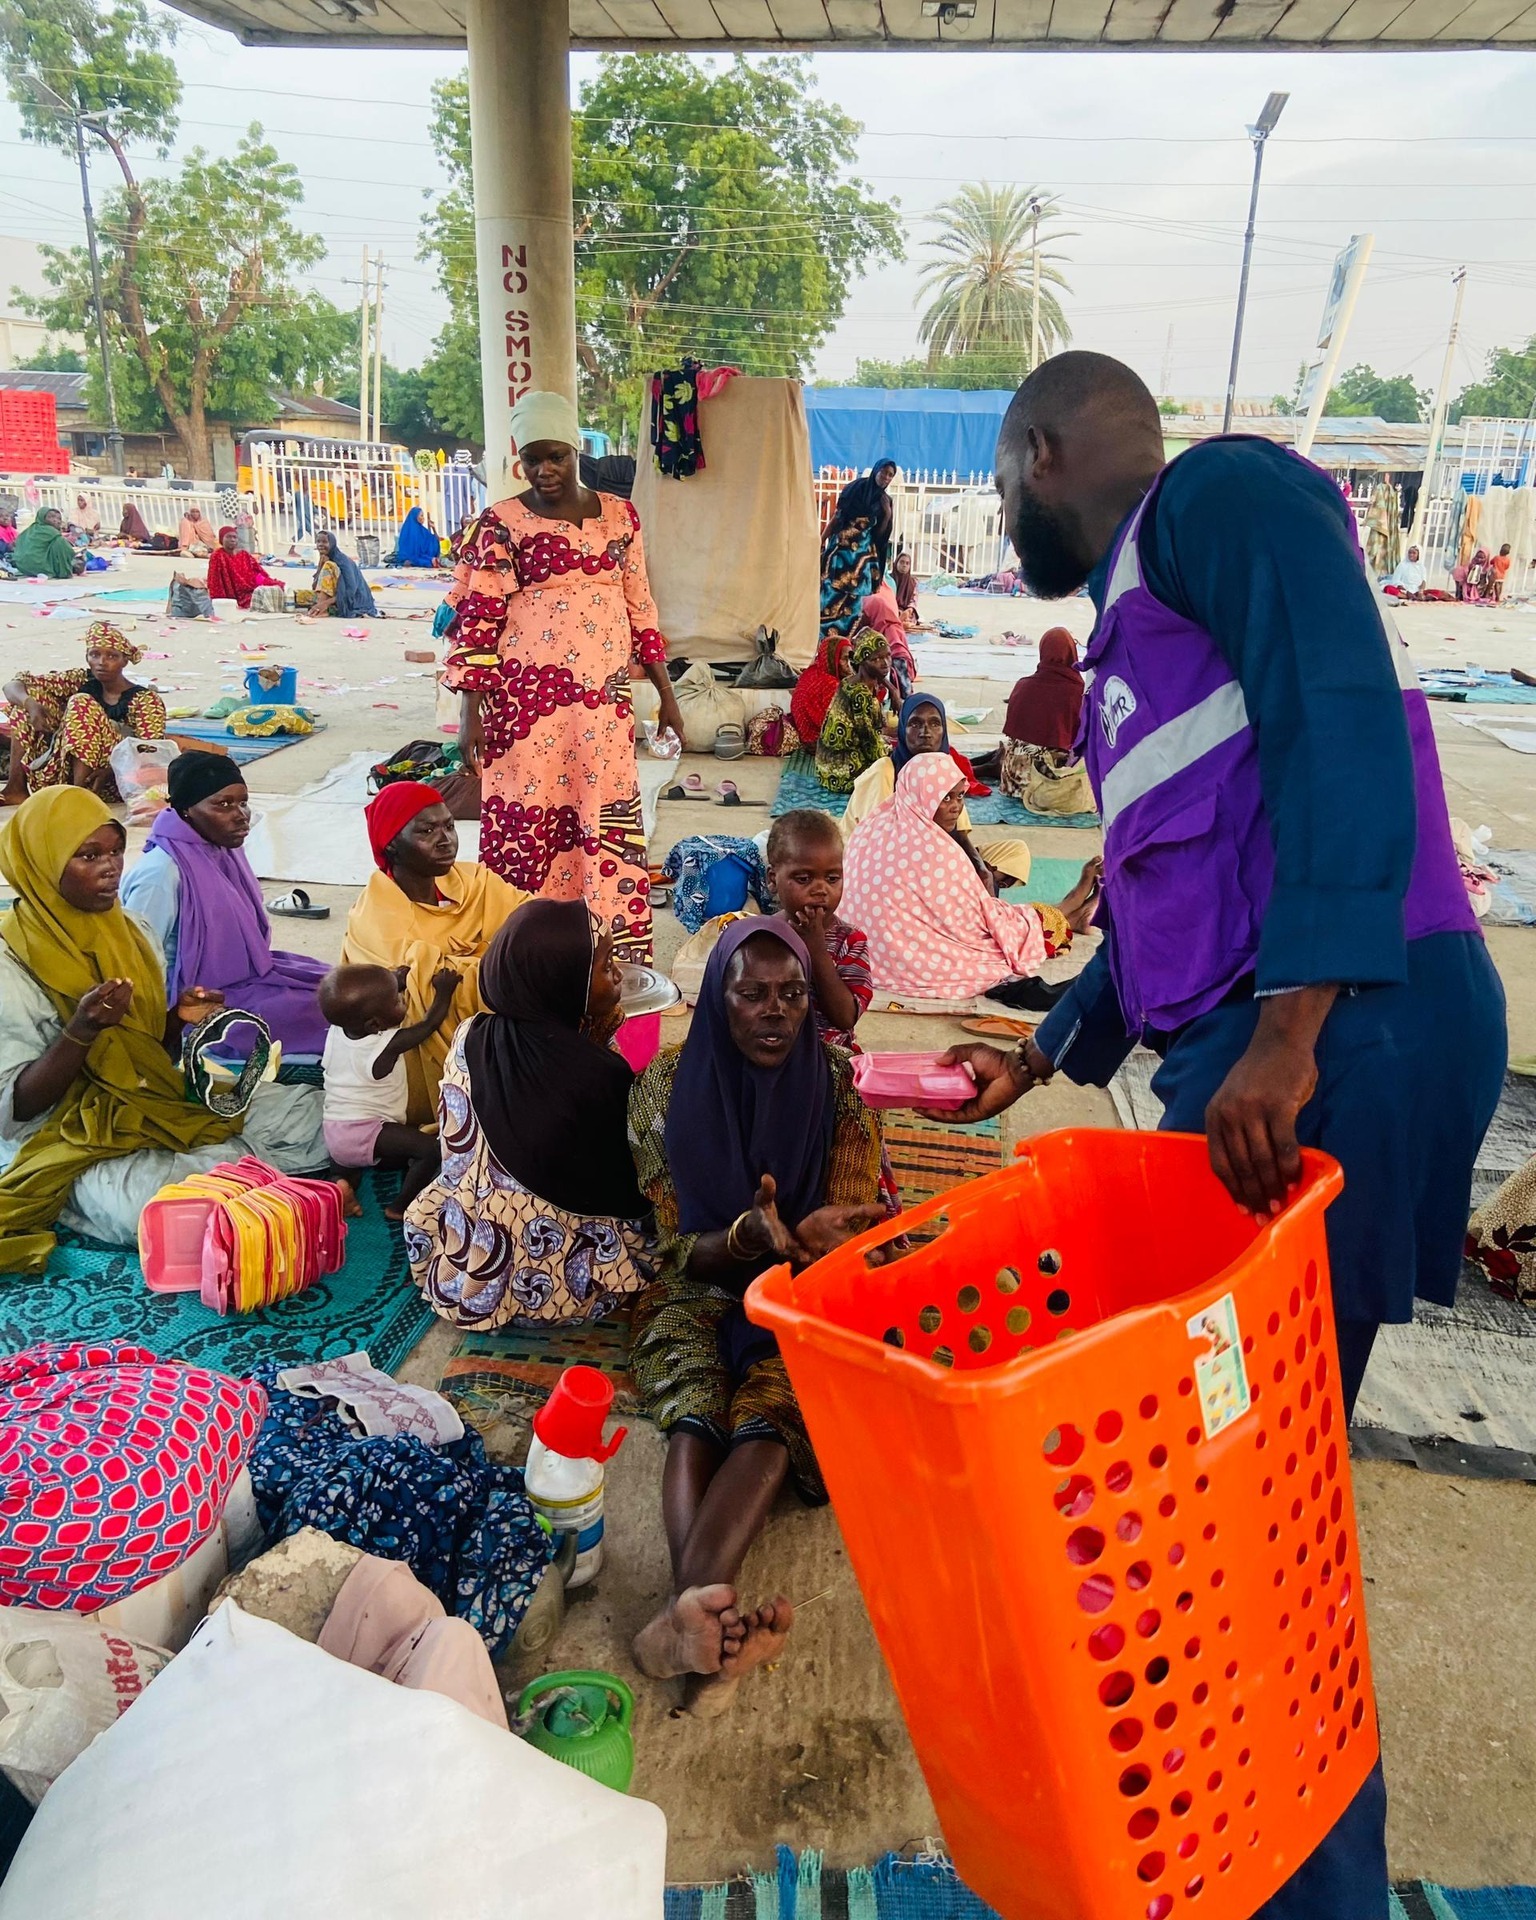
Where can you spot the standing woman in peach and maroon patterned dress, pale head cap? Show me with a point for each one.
(552, 610)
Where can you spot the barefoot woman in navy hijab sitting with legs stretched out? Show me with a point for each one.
(754, 1149)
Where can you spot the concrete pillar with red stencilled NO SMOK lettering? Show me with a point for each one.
(519, 120)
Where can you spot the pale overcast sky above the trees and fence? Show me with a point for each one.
(1435, 155)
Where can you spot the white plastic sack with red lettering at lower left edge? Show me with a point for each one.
(62, 1683)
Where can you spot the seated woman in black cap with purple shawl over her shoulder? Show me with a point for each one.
(197, 894)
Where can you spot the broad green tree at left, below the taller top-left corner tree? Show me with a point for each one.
(197, 283)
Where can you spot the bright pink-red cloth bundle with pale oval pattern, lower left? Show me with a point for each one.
(114, 1468)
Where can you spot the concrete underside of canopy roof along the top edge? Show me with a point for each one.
(719, 26)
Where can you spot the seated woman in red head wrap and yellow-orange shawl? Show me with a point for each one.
(425, 909)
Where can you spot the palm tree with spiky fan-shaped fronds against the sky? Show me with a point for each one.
(984, 276)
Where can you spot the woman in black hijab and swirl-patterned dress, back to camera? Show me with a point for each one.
(537, 1214)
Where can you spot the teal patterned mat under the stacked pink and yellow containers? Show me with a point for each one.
(99, 1293)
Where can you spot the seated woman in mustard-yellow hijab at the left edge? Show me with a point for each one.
(93, 1109)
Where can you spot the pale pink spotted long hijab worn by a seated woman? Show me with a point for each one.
(932, 926)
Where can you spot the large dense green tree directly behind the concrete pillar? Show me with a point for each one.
(715, 214)
